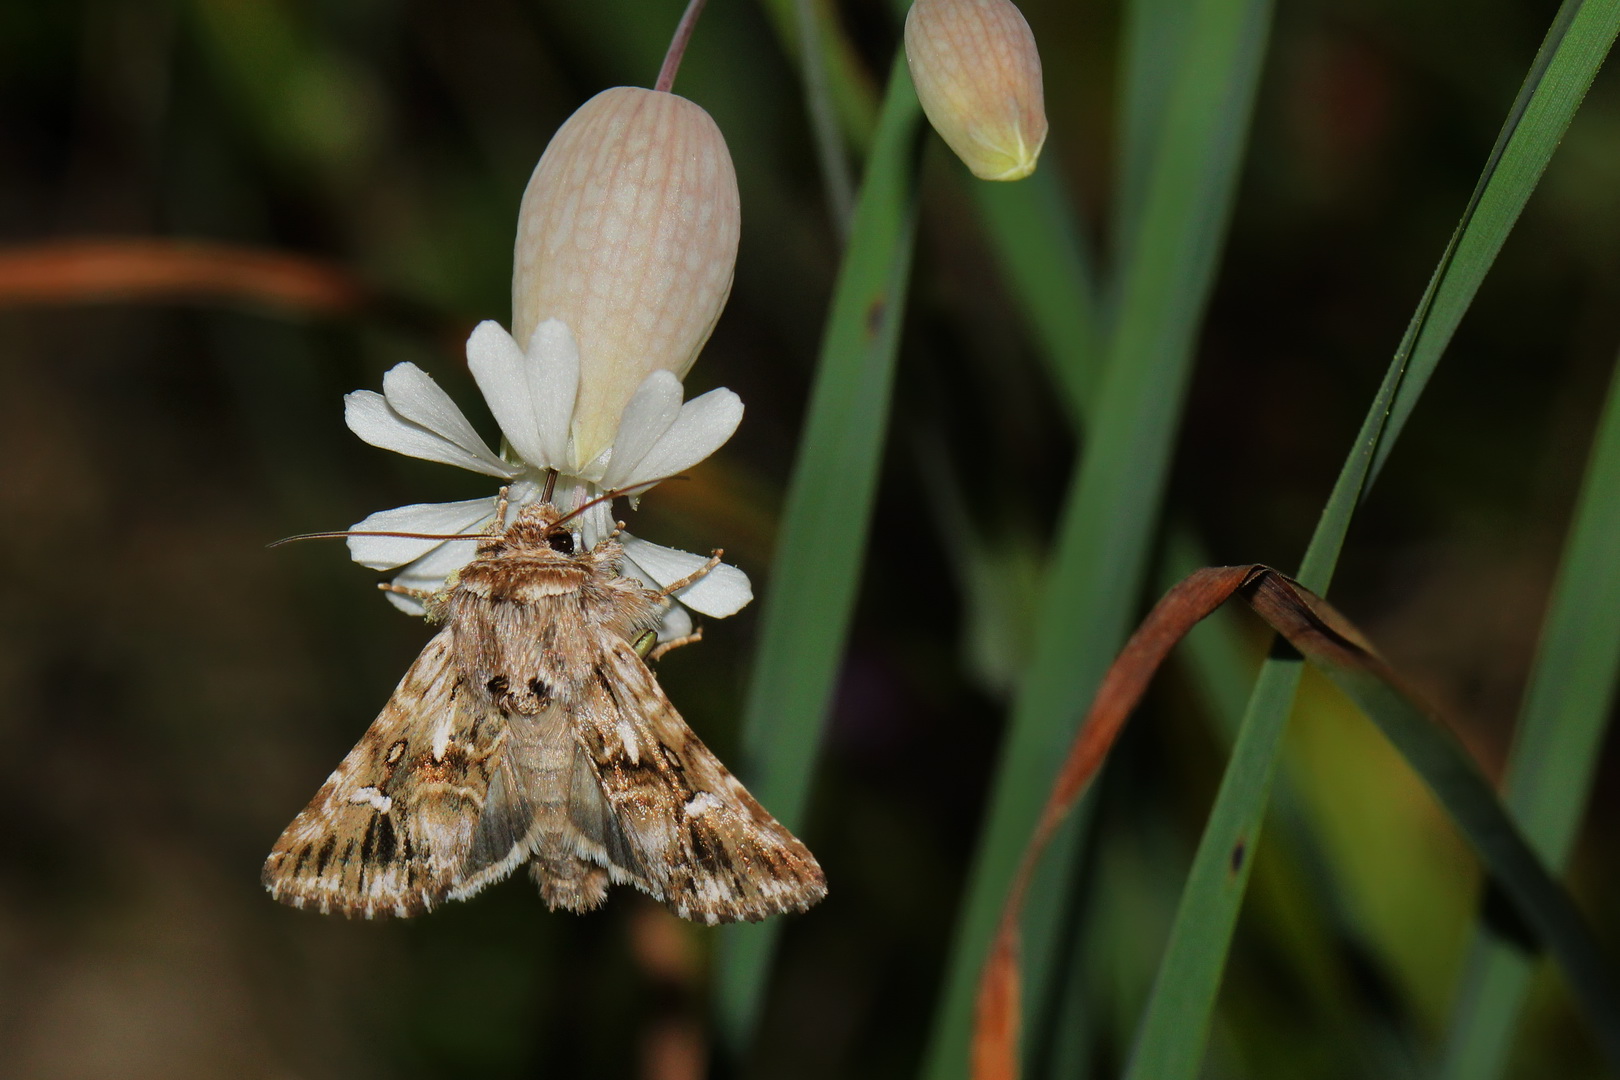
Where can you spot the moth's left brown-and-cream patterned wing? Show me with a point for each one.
(394, 830)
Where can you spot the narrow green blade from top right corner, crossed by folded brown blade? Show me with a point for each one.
(1170, 1040)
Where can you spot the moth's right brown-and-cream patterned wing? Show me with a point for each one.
(707, 848)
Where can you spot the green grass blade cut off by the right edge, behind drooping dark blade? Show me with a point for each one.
(1561, 731)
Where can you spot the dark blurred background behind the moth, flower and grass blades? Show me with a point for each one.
(174, 692)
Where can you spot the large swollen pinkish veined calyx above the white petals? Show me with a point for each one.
(629, 236)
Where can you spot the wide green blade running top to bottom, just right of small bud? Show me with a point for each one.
(1112, 512)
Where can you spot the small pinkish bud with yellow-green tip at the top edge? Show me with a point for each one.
(978, 77)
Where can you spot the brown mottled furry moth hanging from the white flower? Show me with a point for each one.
(532, 731)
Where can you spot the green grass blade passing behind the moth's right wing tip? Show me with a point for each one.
(825, 524)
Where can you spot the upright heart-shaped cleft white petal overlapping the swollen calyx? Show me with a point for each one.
(531, 396)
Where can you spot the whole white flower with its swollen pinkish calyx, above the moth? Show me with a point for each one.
(625, 257)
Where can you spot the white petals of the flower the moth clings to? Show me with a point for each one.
(532, 394)
